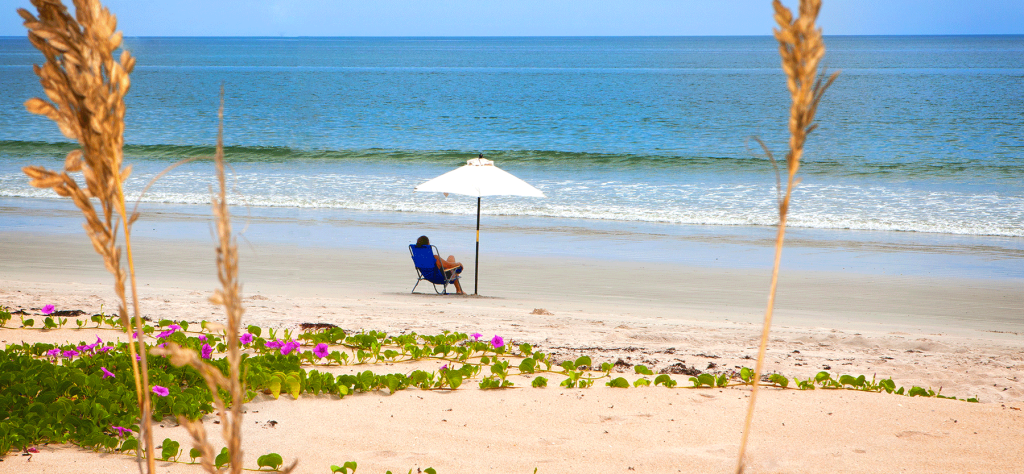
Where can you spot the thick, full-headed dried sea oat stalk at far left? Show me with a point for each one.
(87, 87)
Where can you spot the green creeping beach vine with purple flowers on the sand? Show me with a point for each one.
(84, 394)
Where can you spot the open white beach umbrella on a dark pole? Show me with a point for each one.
(480, 178)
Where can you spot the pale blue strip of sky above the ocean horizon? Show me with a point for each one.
(539, 18)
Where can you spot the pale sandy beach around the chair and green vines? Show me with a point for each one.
(963, 336)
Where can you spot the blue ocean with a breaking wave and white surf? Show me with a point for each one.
(920, 144)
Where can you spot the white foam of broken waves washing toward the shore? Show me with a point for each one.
(889, 208)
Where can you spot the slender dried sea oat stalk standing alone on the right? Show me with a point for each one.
(801, 47)
